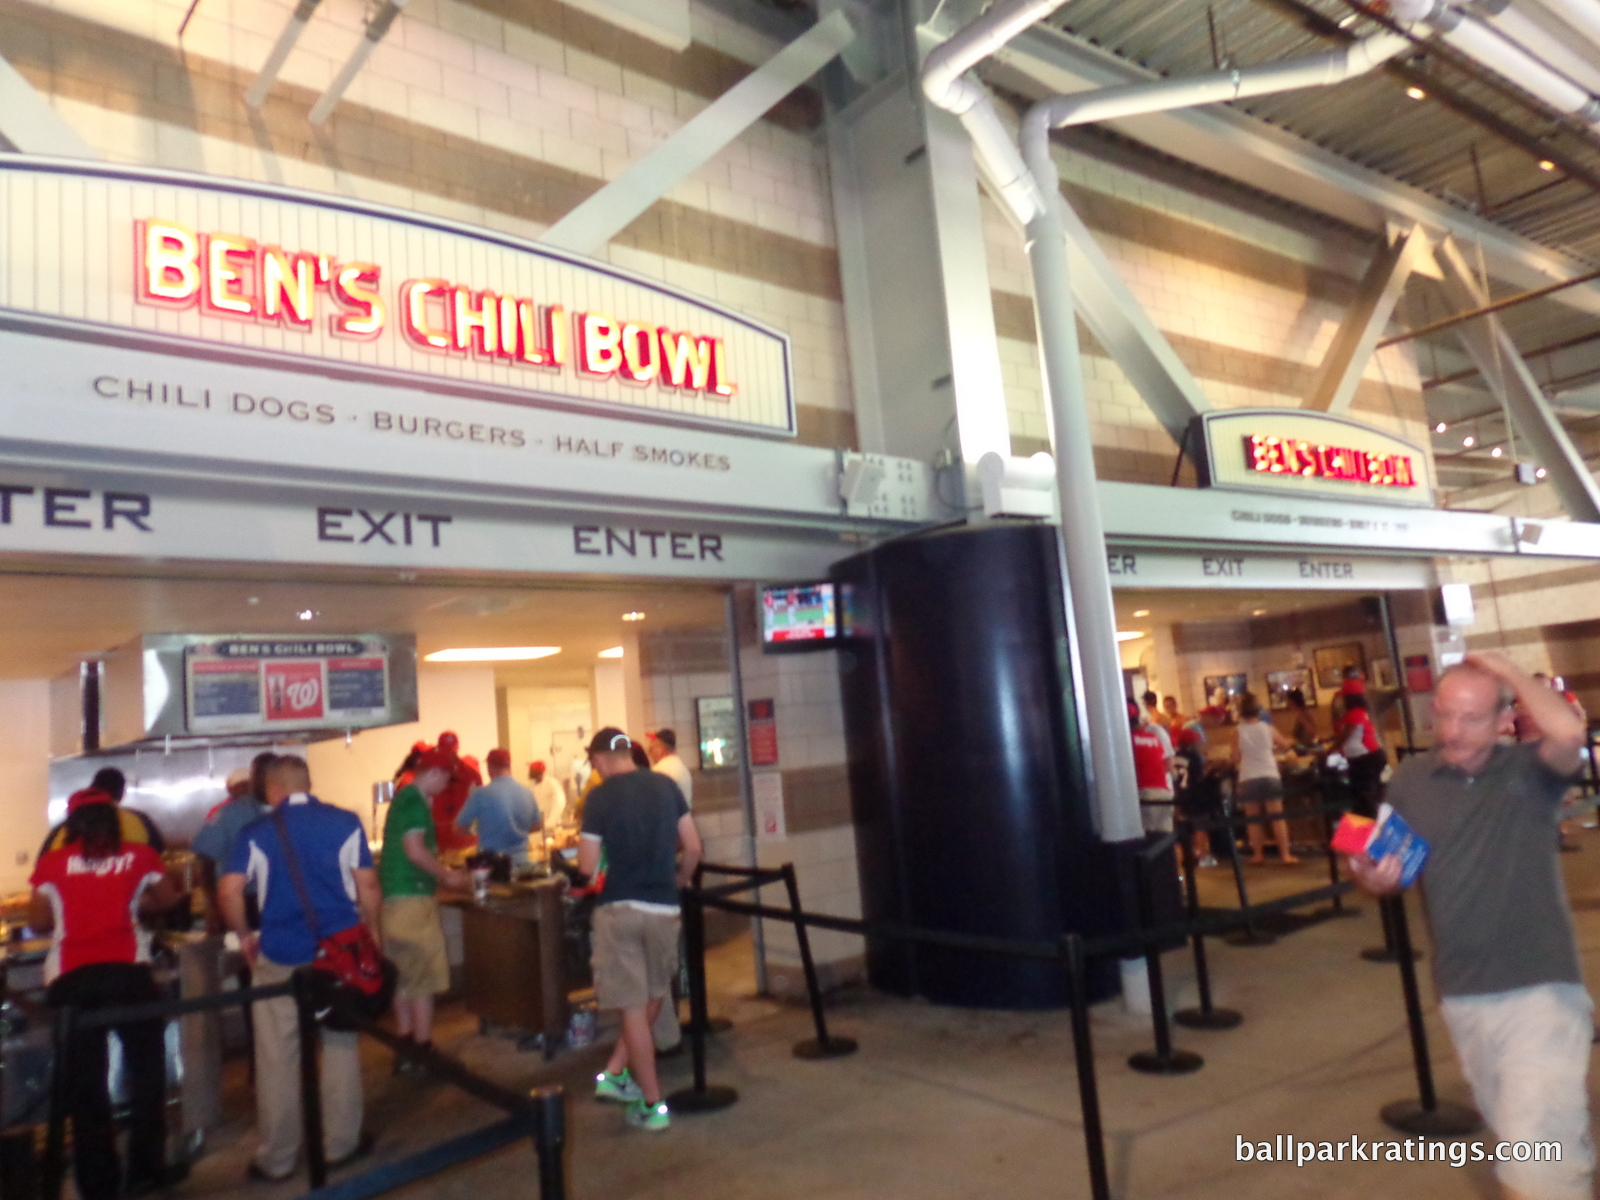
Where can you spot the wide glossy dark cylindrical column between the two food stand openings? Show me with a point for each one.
(967, 769)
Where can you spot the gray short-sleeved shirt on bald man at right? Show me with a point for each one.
(1492, 886)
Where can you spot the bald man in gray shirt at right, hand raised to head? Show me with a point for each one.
(1505, 954)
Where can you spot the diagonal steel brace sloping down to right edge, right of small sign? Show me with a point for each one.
(1503, 369)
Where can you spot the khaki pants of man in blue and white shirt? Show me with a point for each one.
(278, 1081)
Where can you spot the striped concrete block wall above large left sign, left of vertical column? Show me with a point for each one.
(490, 113)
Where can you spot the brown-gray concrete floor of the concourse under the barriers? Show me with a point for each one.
(948, 1105)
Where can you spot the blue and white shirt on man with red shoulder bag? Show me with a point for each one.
(330, 847)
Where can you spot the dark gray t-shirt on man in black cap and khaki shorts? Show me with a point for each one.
(636, 817)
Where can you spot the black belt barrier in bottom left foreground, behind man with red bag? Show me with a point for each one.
(540, 1114)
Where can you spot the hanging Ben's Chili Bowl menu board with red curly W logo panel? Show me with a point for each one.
(249, 684)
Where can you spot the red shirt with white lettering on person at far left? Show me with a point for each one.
(97, 905)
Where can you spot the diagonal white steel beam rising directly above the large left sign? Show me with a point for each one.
(609, 212)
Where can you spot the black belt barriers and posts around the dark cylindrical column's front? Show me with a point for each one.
(1073, 953)
